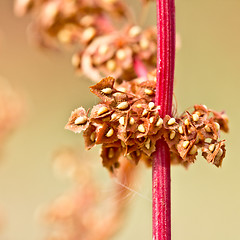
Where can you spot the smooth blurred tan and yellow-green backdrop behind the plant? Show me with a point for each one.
(205, 200)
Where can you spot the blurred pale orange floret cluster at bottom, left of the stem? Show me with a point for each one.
(82, 214)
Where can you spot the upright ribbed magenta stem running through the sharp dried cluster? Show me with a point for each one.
(161, 188)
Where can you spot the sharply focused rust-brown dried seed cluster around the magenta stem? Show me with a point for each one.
(127, 123)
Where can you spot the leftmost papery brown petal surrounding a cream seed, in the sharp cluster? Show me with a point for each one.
(77, 128)
